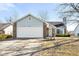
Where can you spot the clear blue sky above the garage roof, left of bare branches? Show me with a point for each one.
(22, 9)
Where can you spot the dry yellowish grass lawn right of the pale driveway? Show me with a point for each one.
(60, 47)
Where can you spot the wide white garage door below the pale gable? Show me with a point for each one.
(29, 32)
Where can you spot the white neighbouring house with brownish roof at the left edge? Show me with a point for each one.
(6, 28)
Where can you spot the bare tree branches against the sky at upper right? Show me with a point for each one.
(69, 9)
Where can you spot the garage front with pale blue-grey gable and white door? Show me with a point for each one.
(29, 27)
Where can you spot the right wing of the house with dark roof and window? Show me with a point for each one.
(60, 29)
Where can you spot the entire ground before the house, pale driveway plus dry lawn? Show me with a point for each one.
(37, 47)
